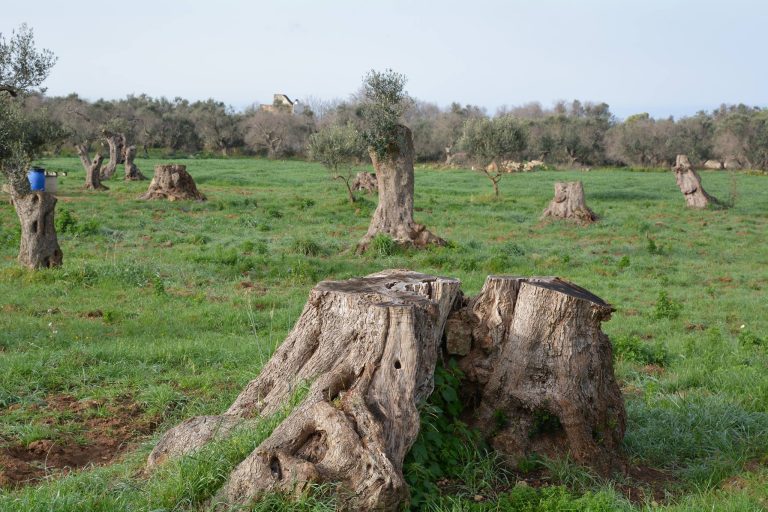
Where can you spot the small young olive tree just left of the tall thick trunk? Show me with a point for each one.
(337, 148)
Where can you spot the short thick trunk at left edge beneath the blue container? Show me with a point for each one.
(39, 246)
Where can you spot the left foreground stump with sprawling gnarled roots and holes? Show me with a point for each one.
(369, 347)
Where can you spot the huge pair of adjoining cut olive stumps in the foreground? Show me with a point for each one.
(532, 351)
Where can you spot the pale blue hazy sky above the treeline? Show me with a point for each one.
(666, 57)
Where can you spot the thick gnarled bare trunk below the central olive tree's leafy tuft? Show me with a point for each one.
(394, 214)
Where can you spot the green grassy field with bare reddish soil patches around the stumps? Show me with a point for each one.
(166, 310)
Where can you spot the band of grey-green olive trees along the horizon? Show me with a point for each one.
(569, 134)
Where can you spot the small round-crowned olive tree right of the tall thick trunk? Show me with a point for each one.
(491, 141)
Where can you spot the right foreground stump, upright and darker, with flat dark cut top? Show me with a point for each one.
(538, 370)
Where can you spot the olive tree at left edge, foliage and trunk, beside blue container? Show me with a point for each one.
(22, 136)
